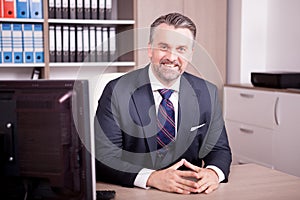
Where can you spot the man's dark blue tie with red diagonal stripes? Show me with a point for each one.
(165, 120)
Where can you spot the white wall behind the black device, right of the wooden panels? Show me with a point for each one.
(263, 35)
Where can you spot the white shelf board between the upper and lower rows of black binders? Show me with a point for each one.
(91, 21)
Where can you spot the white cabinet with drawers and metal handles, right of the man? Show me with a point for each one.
(263, 126)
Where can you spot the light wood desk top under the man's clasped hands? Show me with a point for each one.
(246, 182)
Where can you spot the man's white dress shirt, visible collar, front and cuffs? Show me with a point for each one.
(143, 175)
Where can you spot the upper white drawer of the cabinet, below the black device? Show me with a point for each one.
(250, 106)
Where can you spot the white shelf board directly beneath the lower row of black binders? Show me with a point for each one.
(93, 64)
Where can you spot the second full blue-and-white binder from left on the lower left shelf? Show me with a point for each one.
(17, 44)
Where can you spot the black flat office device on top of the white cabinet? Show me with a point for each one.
(276, 79)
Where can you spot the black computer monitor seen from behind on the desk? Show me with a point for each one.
(45, 140)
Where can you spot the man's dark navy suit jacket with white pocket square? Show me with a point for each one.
(125, 128)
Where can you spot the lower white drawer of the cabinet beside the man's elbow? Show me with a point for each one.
(250, 143)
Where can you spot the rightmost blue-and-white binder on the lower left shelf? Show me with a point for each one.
(38, 43)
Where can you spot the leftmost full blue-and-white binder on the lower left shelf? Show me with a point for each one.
(7, 43)
